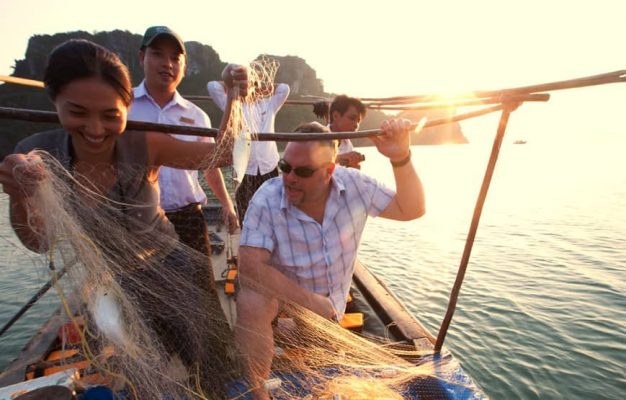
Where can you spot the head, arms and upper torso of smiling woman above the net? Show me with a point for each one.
(91, 91)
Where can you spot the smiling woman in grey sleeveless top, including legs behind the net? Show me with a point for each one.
(118, 169)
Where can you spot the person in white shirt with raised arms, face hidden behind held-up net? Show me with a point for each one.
(263, 154)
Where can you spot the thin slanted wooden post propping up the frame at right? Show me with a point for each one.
(456, 289)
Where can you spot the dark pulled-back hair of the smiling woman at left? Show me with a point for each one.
(80, 59)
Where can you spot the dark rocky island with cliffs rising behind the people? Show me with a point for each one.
(203, 65)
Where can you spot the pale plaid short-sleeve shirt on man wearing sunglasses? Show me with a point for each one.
(318, 257)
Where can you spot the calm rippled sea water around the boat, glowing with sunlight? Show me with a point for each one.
(542, 312)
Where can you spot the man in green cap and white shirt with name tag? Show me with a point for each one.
(156, 99)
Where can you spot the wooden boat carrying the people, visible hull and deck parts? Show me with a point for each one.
(385, 320)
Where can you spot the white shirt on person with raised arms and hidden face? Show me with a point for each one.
(260, 118)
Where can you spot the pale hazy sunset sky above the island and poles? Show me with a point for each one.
(381, 48)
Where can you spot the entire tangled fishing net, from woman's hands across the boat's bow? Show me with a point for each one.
(149, 327)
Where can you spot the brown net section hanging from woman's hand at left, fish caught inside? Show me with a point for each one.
(148, 309)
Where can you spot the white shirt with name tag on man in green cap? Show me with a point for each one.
(178, 187)
